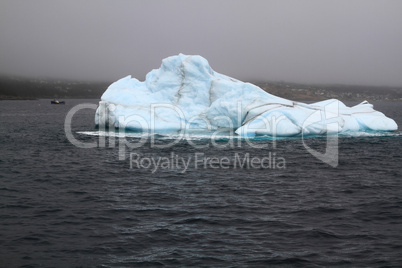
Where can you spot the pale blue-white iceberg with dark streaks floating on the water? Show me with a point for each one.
(186, 94)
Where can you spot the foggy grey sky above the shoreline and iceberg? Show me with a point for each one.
(342, 41)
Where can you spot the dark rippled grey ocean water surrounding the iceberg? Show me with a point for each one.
(63, 206)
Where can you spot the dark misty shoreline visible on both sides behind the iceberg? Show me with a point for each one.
(33, 89)
